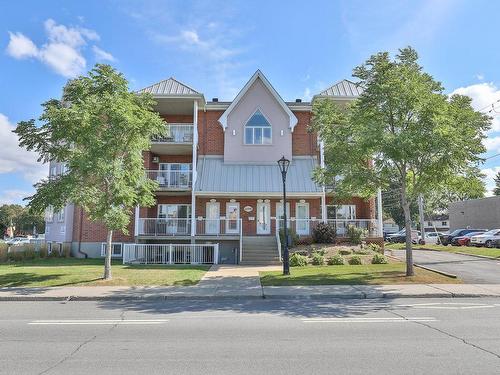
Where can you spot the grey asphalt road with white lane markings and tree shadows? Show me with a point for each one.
(393, 336)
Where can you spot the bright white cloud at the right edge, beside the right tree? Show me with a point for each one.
(483, 95)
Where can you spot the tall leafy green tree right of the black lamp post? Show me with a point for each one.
(403, 130)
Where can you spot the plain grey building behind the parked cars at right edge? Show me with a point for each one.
(481, 213)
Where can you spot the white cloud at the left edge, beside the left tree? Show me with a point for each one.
(16, 159)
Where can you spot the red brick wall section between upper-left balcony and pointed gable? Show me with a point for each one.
(210, 133)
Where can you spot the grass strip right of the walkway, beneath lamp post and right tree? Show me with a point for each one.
(392, 273)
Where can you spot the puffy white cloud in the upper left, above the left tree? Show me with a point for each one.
(63, 50)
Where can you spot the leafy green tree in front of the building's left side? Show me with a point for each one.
(99, 129)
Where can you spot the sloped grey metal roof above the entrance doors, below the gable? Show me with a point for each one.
(216, 176)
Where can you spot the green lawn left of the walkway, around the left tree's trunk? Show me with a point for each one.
(88, 272)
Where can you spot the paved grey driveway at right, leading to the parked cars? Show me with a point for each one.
(470, 269)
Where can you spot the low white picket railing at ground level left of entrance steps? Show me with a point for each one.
(170, 253)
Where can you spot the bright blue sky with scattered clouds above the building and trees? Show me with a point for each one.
(215, 46)
